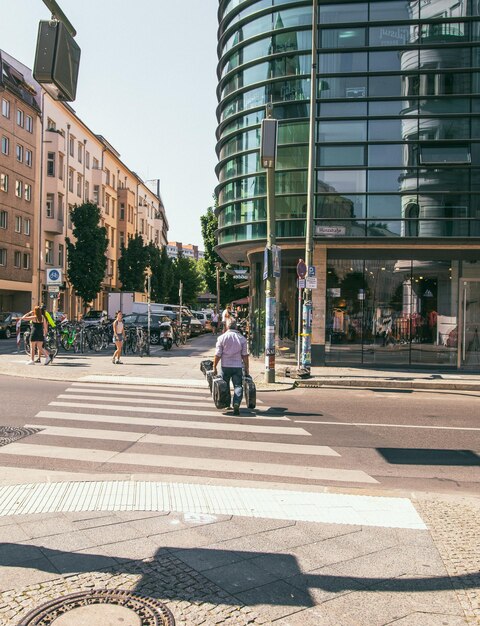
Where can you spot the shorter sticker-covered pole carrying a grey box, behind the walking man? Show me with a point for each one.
(270, 284)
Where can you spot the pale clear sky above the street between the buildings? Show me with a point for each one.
(147, 83)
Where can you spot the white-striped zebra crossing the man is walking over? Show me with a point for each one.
(100, 427)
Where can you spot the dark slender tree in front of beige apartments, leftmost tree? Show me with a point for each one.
(86, 258)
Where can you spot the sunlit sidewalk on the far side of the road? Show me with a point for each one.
(182, 364)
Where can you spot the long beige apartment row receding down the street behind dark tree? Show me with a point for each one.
(81, 166)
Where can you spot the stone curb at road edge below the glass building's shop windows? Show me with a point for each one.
(387, 384)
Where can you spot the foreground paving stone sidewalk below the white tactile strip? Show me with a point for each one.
(239, 572)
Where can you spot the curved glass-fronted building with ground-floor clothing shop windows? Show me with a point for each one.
(397, 198)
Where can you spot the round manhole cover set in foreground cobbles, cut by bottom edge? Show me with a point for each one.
(101, 608)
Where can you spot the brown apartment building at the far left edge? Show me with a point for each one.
(19, 132)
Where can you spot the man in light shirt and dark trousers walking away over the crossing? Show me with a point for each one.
(232, 353)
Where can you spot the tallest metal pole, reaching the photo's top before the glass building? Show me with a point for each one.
(307, 306)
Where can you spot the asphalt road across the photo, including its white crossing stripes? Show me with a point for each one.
(363, 439)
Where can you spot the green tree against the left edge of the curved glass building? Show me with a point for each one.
(228, 292)
